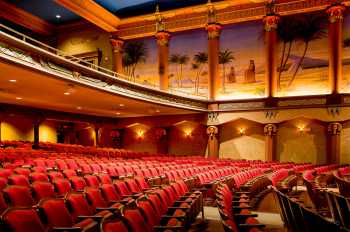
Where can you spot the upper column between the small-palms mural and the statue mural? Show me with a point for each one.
(214, 30)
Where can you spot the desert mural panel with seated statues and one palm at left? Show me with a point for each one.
(242, 61)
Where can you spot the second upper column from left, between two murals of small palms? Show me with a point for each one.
(163, 39)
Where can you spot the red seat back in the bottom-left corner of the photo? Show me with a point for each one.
(22, 220)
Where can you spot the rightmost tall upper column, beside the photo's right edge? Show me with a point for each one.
(335, 45)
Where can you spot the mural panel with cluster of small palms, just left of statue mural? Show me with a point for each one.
(188, 62)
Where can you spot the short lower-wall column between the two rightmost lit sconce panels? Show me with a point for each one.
(270, 131)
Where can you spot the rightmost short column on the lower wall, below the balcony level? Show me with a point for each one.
(334, 131)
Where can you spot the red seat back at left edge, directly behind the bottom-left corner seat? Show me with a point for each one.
(19, 196)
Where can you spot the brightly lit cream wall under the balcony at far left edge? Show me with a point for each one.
(17, 128)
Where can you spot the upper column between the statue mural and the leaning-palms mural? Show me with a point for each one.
(271, 46)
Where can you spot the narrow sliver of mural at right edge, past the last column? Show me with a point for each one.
(345, 82)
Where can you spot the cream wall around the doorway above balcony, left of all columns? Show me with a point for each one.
(89, 40)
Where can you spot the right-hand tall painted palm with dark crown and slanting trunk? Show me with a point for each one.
(312, 27)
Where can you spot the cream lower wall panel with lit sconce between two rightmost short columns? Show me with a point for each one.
(309, 146)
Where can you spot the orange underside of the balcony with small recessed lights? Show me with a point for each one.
(42, 91)
